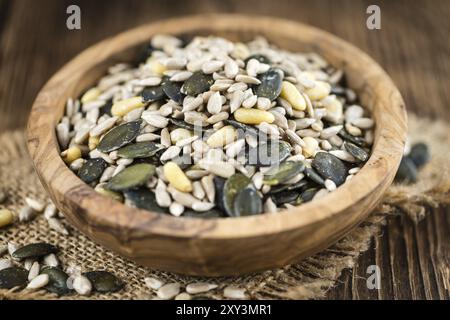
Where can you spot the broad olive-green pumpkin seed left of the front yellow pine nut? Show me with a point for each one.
(132, 177)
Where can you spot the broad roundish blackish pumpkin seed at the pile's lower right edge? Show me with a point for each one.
(330, 167)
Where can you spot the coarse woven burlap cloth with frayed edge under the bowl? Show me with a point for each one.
(308, 279)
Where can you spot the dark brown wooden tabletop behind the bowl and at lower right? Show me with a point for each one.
(413, 46)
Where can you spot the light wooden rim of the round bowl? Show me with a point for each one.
(380, 164)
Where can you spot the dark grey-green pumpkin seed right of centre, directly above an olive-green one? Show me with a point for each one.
(269, 154)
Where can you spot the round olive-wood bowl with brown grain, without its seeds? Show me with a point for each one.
(220, 246)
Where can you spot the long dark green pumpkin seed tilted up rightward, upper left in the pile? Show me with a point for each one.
(120, 136)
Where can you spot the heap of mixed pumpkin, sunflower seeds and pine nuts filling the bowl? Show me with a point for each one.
(212, 128)
